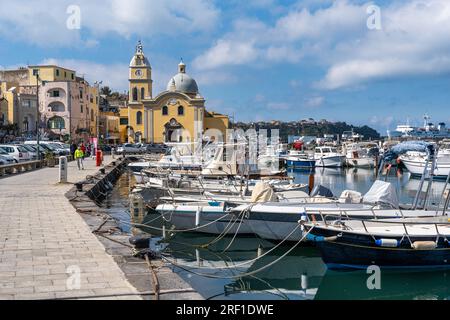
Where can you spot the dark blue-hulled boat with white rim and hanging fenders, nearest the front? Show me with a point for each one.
(413, 243)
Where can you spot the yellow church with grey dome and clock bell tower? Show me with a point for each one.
(177, 114)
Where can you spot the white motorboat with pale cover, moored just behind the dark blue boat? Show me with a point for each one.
(278, 221)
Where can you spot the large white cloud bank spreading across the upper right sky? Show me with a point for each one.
(414, 41)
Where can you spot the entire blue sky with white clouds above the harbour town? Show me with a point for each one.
(377, 63)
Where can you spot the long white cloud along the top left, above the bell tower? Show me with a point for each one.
(44, 23)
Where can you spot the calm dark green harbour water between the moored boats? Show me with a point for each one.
(219, 274)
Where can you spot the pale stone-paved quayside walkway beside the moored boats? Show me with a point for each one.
(44, 242)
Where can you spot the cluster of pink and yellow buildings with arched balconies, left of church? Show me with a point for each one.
(68, 105)
